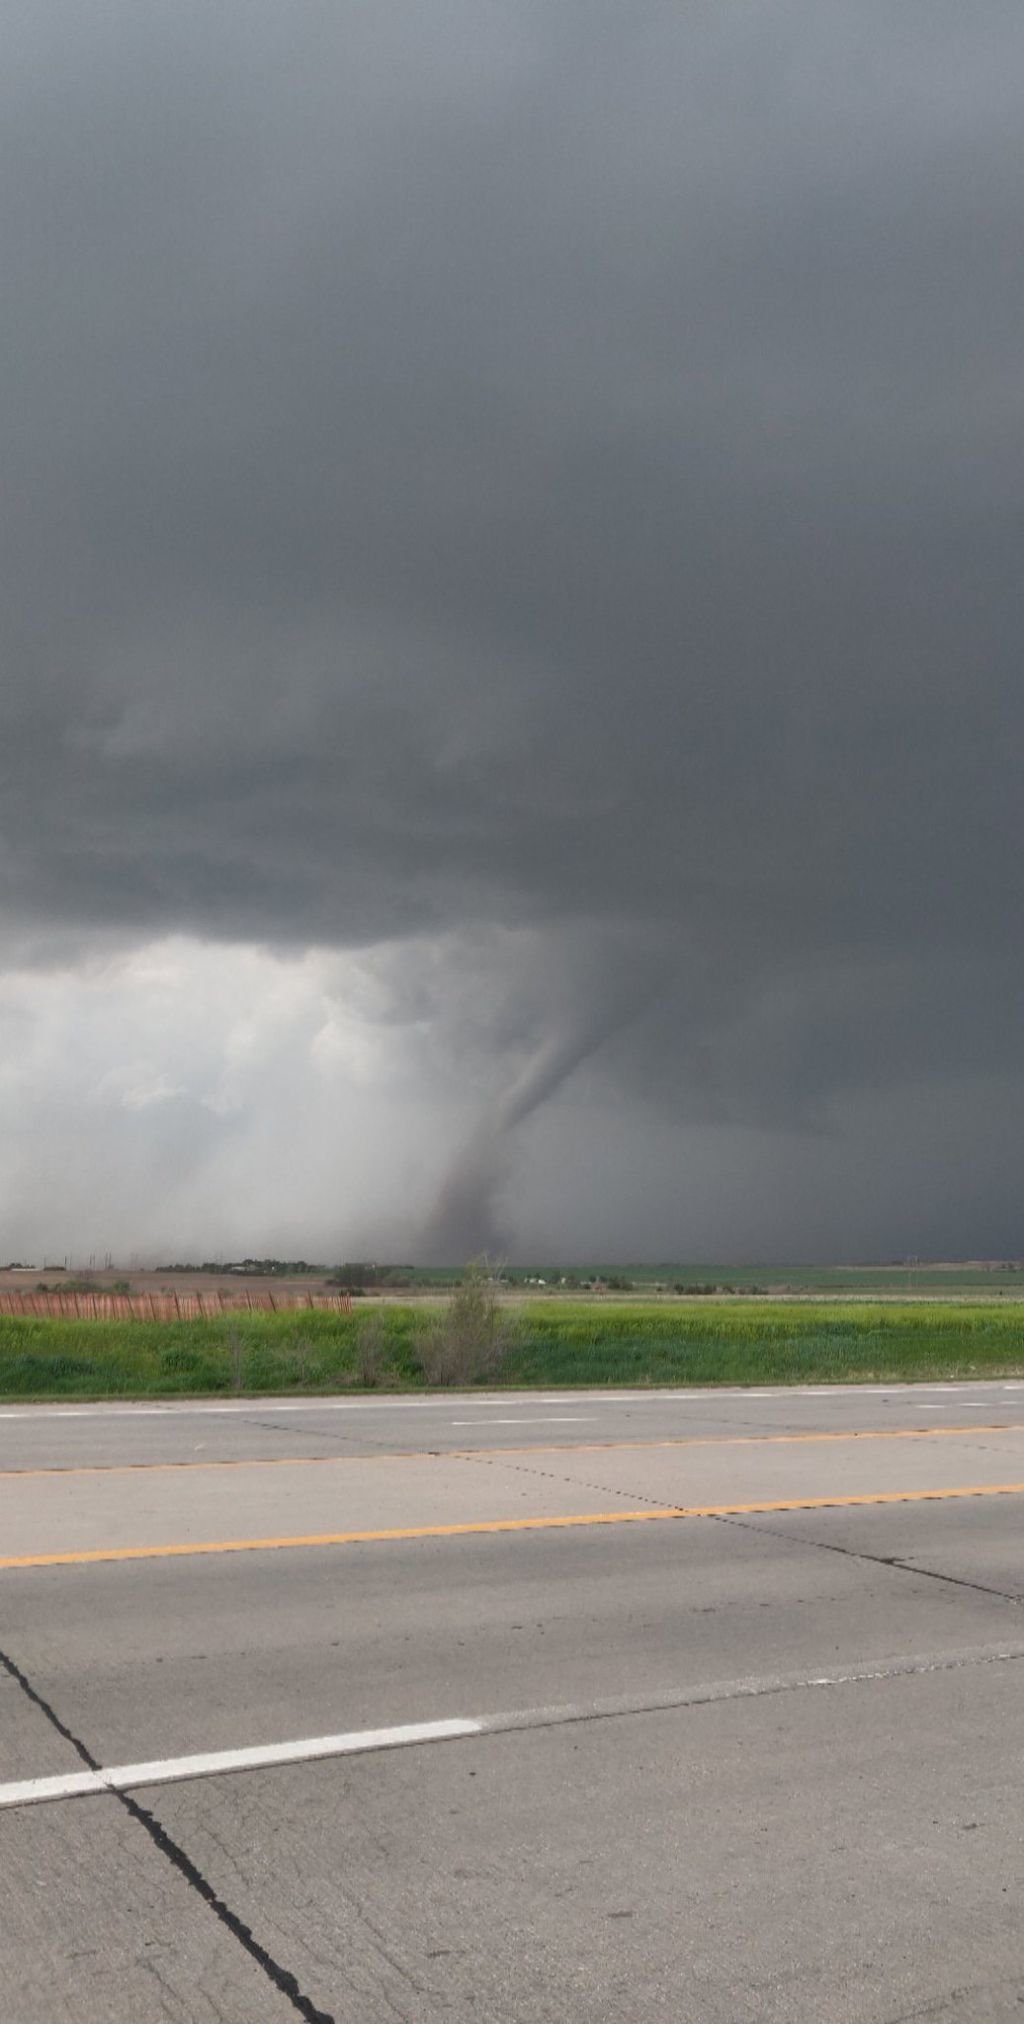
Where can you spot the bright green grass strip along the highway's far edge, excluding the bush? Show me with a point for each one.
(551, 1343)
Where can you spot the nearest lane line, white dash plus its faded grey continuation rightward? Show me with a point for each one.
(268, 1756)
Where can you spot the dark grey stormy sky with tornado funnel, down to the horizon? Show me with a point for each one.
(511, 632)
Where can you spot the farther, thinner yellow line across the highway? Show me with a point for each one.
(533, 1448)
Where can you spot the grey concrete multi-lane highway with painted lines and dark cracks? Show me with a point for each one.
(560, 1707)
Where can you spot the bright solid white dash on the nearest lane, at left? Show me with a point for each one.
(211, 1764)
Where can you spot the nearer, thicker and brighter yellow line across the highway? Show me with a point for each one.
(505, 1525)
